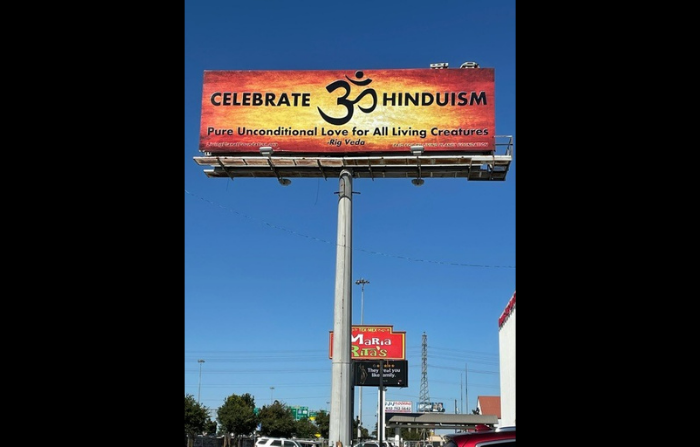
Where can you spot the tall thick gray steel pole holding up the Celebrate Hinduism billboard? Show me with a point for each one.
(340, 429)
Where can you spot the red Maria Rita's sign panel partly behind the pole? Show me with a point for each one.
(375, 343)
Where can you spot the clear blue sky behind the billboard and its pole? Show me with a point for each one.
(260, 258)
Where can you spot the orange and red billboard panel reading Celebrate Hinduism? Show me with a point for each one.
(348, 111)
